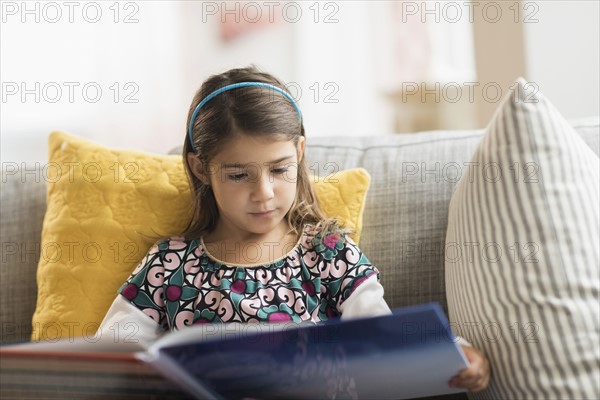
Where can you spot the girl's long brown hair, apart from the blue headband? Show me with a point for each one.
(254, 111)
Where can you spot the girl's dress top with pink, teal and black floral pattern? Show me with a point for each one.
(178, 283)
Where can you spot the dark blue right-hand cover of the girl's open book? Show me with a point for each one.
(410, 353)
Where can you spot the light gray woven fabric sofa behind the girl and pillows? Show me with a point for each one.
(404, 222)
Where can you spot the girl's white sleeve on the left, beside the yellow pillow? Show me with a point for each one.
(127, 324)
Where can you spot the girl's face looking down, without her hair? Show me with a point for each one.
(254, 184)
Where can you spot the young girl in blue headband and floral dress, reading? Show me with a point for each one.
(258, 247)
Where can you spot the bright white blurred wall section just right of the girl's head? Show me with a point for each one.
(335, 69)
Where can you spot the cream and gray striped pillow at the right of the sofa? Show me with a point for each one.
(522, 254)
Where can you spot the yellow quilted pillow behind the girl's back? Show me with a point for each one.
(102, 207)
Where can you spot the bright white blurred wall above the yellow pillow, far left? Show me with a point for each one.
(143, 58)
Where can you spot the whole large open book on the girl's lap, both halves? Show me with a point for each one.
(410, 353)
